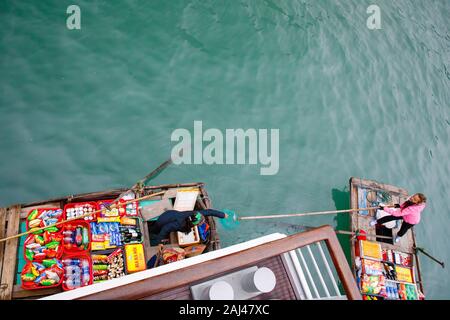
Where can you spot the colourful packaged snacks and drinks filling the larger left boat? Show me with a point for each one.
(91, 247)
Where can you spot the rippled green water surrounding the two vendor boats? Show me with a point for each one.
(93, 109)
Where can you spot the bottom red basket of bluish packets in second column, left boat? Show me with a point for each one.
(68, 266)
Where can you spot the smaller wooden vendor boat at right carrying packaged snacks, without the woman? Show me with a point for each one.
(383, 270)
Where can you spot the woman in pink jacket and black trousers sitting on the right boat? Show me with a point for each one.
(409, 212)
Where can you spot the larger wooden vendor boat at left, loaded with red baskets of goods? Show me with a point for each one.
(83, 246)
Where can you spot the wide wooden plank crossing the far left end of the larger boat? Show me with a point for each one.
(10, 255)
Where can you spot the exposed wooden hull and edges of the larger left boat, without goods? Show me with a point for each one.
(12, 221)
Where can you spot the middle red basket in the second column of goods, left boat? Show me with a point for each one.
(69, 228)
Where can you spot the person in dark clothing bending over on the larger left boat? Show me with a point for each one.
(183, 221)
